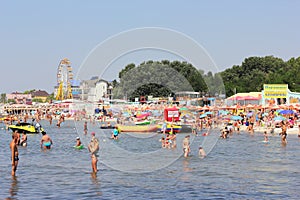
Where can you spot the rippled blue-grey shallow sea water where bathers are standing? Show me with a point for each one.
(135, 167)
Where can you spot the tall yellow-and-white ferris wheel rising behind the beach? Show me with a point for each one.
(64, 79)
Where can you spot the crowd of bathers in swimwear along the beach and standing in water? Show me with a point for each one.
(247, 122)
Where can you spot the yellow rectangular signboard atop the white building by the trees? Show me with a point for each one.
(275, 91)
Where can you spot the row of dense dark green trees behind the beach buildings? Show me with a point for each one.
(164, 78)
